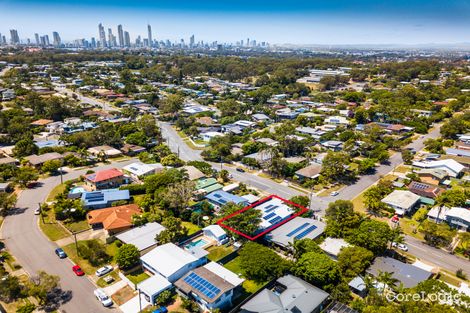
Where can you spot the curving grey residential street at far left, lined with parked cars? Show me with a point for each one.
(33, 250)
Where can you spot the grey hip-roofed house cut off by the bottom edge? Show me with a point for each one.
(289, 294)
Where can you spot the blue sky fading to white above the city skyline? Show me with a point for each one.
(325, 22)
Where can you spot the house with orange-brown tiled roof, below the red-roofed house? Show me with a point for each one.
(113, 219)
